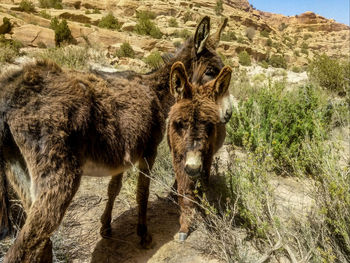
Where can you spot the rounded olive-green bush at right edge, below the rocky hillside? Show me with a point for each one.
(328, 73)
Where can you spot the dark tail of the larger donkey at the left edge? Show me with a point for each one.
(5, 224)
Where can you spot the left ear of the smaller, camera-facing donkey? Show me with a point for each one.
(180, 87)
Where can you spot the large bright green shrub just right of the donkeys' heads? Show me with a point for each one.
(277, 123)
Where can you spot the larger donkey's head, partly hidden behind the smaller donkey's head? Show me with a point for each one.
(201, 50)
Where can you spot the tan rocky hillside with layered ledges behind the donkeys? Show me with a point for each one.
(296, 39)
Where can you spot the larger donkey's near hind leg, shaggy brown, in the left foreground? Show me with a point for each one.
(55, 185)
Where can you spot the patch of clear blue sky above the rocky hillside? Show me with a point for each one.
(336, 9)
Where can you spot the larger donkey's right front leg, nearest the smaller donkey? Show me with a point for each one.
(145, 166)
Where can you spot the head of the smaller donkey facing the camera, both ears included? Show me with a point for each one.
(194, 119)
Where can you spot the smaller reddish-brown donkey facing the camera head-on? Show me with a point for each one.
(194, 132)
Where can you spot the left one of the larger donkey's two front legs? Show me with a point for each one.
(114, 187)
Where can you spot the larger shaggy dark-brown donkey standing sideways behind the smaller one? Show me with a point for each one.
(56, 126)
